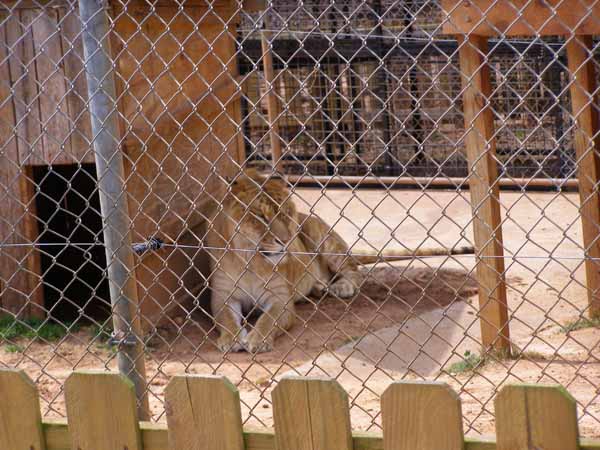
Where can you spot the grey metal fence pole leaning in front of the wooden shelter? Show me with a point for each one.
(113, 202)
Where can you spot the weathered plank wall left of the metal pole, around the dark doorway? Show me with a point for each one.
(44, 122)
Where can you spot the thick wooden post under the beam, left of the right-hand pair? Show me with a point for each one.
(485, 193)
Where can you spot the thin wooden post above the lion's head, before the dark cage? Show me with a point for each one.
(273, 109)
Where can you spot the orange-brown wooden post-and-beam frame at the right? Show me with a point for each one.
(552, 19)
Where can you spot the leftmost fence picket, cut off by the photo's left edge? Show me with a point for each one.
(20, 418)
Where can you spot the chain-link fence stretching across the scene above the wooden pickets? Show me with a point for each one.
(277, 189)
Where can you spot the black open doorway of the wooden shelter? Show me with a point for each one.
(68, 211)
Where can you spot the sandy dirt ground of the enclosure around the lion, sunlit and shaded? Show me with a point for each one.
(411, 320)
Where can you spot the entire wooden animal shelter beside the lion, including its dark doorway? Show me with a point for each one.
(179, 111)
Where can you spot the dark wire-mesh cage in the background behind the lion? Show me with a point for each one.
(396, 118)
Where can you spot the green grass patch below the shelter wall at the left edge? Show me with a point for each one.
(12, 328)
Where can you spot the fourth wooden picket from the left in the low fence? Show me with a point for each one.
(311, 414)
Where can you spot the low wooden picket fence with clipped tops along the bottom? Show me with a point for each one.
(203, 412)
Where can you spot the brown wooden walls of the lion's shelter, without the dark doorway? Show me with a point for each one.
(165, 59)
